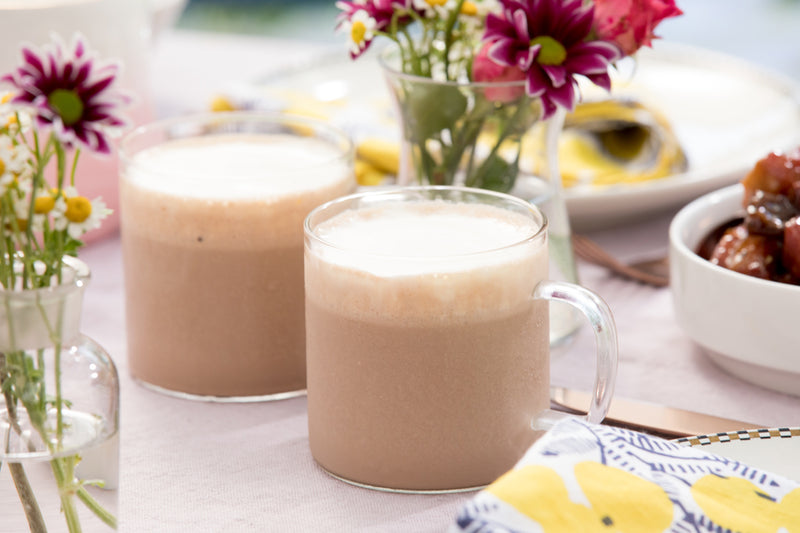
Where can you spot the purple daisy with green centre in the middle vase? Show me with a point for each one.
(549, 40)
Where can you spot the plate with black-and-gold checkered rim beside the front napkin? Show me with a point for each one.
(772, 450)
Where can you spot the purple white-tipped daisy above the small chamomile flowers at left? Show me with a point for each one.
(70, 91)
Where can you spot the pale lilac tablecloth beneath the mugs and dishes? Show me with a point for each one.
(191, 466)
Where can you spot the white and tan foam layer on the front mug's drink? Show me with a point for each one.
(422, 263)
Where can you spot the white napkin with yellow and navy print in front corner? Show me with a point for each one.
(582, 477)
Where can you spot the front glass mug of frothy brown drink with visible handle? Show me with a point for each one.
(427, 336)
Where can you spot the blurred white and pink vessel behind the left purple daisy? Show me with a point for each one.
(116, 29)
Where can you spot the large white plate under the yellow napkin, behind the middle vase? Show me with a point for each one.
(727, 114)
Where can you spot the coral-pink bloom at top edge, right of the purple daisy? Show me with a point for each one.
(630, 24)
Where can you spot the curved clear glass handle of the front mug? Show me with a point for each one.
(605, 331)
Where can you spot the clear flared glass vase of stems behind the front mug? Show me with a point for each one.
(488, 135)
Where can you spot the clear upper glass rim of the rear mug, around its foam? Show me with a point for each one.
(127, 154)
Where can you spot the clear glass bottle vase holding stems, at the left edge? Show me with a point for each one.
(59, 413)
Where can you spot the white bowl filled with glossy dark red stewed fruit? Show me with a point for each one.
(735, 273)
